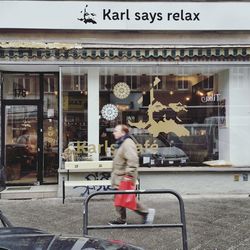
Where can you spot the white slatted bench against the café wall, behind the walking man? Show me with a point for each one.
(87, 167)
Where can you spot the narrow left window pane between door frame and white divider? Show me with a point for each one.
(75, 98)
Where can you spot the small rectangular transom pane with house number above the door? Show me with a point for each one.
(21, 86)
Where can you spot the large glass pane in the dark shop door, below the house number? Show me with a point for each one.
(21, 149)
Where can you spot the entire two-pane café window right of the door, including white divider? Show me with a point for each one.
(179, 115)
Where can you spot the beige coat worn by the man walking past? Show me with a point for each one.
(125, 163)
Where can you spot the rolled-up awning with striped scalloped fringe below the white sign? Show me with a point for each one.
(78, 53)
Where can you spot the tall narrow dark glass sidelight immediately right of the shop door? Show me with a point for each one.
(50, 128)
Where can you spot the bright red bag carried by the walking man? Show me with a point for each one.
(126, 200)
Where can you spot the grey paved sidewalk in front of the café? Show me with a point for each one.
(213, 222)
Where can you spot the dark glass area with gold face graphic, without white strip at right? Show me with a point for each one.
(169, 119)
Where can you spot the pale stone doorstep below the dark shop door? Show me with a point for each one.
(29, 192)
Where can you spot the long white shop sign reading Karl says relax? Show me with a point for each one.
(81, 15)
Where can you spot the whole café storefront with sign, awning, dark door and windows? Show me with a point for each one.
(177, 77)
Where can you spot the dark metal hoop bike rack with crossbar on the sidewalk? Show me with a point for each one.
(181, 225)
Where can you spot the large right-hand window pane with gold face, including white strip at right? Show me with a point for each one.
(186, 112)
